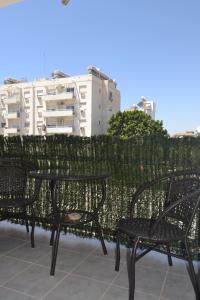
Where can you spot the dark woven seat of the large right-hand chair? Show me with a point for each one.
(141, 227)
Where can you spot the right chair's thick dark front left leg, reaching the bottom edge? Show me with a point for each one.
(132, 270)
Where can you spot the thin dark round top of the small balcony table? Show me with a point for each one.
(65, 175)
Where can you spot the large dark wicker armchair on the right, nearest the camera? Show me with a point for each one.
(180, 198)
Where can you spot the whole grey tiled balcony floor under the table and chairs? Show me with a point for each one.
(82, 271)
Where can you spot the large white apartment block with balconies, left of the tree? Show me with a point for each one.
(78, 105)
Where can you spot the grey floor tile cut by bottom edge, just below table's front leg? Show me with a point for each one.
(78, 288)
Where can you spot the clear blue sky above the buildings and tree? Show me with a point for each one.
(151, 48)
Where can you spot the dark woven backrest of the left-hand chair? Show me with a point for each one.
(13, 180)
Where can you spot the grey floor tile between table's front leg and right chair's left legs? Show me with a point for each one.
(97, 268)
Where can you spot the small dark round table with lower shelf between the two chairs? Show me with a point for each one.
(78, 218)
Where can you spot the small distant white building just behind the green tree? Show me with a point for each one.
(149, 107)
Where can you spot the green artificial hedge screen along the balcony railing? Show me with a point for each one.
(130, 163)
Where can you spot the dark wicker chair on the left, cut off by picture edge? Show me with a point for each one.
(14, 201)
